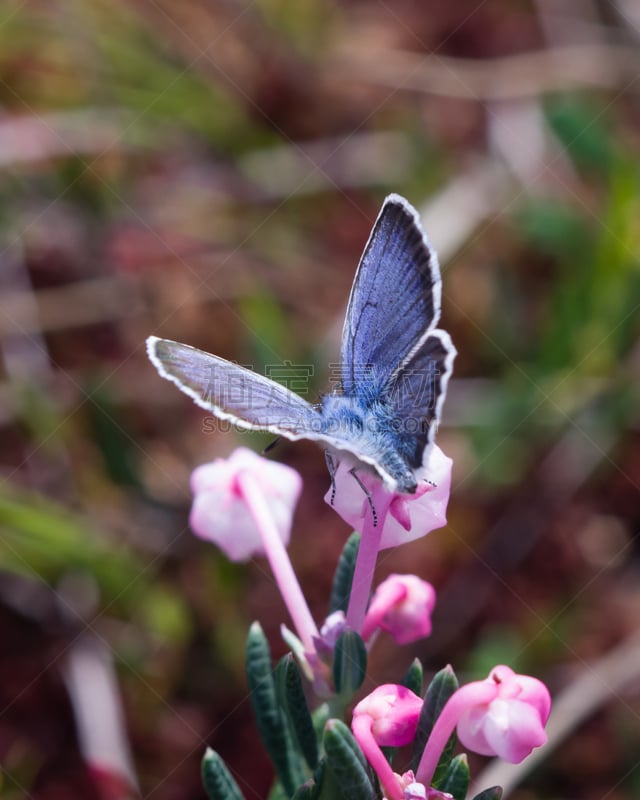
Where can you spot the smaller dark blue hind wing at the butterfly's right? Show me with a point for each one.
(416, 393)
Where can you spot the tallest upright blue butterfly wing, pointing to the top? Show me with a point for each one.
(395, 296)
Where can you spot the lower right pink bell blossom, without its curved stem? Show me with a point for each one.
(512, 723)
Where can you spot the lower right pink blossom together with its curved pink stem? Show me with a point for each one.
(503, 716)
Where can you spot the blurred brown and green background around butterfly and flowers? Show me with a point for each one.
(209, 171)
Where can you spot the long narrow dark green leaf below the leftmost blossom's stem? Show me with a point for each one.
(270, 718)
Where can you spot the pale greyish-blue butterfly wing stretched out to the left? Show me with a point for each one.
(234, 393)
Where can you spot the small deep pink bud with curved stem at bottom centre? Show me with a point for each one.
(386, 717)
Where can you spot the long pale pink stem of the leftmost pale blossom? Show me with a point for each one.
(279, 560)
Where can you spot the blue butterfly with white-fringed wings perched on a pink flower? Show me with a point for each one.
(394, 364)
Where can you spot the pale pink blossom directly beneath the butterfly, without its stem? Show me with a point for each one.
(410, 515)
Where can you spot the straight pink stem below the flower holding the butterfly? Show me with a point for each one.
(366, 561)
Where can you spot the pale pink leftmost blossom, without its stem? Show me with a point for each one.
(219, 512)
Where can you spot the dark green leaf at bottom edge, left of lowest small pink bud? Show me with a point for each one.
(346, 763)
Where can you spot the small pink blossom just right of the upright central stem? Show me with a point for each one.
(401, 605)
